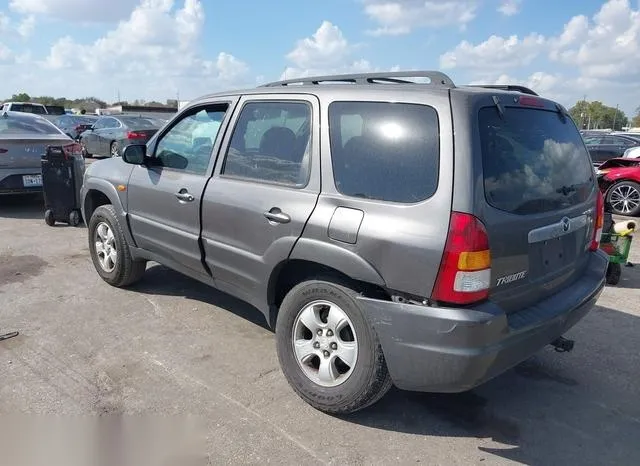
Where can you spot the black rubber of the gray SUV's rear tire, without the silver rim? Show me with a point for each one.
(369, 380)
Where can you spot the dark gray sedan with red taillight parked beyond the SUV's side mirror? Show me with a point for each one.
(109, 135)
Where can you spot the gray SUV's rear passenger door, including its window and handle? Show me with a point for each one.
(263, 191)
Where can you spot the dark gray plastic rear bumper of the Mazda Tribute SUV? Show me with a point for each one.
(453, 350)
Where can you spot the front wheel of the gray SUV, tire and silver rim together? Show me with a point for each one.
(109, 249)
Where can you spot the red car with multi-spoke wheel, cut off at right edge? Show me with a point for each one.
(619, 181)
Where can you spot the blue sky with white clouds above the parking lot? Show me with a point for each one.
(166, 49)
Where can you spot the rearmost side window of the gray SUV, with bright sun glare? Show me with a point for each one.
(385, 151)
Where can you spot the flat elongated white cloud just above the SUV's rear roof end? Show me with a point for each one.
(495, 52)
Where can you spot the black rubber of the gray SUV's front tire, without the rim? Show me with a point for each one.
(127, 270)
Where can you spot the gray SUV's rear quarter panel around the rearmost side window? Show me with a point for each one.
(401, 243)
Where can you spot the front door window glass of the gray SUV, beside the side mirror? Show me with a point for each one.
(189, 143)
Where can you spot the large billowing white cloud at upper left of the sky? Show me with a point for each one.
(151, 55)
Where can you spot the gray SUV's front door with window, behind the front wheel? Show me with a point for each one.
(165, 195)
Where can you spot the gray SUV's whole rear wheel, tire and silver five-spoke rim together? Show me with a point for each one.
(329, 353)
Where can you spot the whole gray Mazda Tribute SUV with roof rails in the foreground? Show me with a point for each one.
(392, 231)
